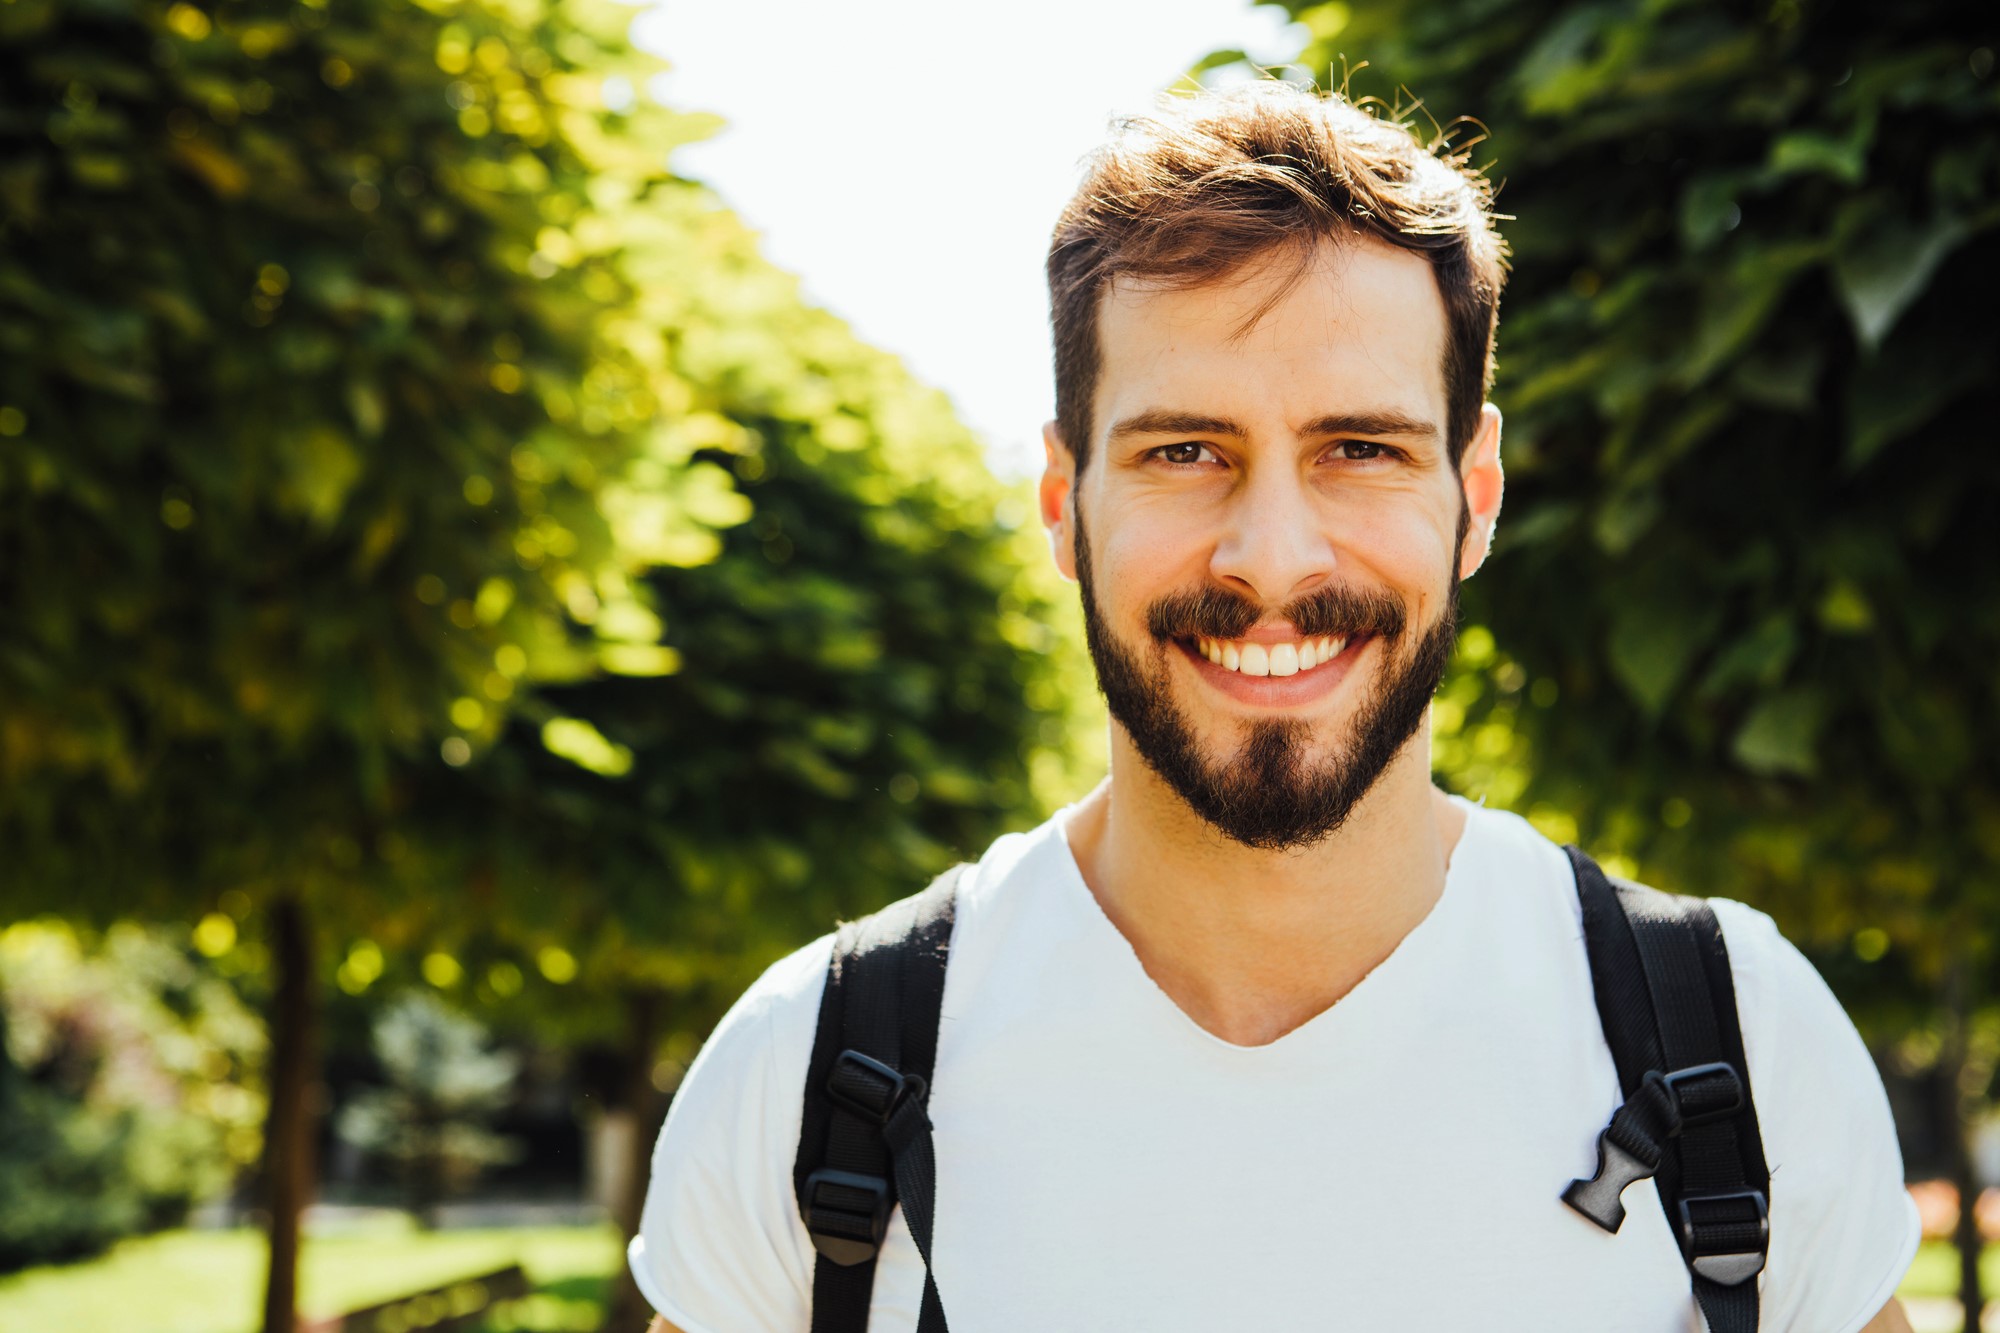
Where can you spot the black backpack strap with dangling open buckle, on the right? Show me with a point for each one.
(1669, 1008)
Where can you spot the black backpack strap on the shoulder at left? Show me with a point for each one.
(865, 1144)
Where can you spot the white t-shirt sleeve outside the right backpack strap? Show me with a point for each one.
(1843, 1228)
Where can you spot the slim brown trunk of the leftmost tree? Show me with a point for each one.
(289, 1128)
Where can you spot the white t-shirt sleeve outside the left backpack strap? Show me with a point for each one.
(721, 1248)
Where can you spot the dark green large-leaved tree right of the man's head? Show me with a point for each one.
(1749, 371)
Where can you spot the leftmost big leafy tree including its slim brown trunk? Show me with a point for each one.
(325, 425)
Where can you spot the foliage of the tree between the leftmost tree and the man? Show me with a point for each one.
(871, 678)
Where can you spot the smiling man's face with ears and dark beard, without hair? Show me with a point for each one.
(1271, 531)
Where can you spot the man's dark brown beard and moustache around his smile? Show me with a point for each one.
(1271, 796)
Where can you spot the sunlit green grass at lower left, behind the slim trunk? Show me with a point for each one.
(213, 1282)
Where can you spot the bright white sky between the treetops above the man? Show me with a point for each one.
(909, 157)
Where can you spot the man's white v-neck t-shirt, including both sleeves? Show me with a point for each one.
(1395, 1164)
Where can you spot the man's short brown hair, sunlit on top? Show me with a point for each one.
(1189, 195)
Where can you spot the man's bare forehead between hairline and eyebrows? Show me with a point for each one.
(1363, 329)
